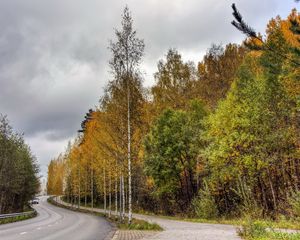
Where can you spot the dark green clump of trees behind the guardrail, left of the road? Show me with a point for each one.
(19, 180)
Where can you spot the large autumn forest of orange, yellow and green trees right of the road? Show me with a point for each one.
(220, 138)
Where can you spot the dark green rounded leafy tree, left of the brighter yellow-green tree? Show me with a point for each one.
(171, 151)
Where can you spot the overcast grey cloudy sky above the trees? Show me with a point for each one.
(54, 56)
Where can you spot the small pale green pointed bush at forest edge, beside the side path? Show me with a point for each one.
(204, 205)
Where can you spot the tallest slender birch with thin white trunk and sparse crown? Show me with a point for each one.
(127, 52)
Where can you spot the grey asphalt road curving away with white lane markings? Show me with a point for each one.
(54, 223)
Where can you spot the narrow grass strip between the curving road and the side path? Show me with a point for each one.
(135, 225)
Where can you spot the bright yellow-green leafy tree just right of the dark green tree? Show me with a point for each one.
(234, 133)
